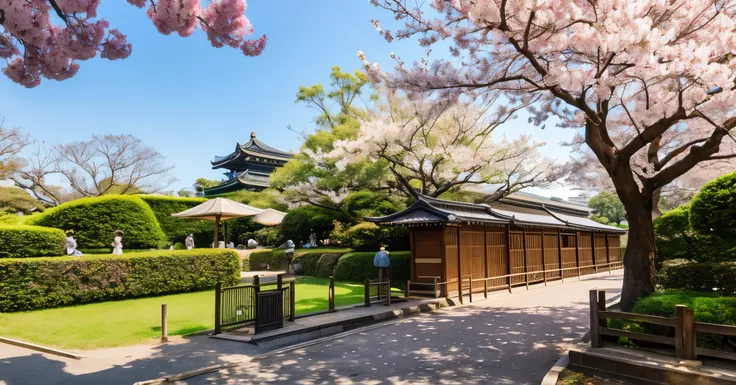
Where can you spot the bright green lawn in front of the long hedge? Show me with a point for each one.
(133, 321)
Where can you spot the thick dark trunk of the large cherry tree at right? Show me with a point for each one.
(639, 257)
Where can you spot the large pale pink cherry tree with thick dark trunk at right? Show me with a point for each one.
(628, 74)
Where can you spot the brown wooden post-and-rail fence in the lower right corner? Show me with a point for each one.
(684, 339)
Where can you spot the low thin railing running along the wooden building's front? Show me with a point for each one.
(436, 287)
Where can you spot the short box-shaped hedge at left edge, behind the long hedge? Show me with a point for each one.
(31, 241)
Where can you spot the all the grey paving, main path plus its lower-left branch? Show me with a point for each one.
(508, 339)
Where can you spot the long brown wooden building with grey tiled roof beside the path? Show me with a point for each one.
(514, 241)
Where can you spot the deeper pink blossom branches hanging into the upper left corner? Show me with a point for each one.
(47, 38)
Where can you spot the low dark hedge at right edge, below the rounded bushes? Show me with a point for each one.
(703, 277)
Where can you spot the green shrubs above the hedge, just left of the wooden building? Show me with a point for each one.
(368, 236)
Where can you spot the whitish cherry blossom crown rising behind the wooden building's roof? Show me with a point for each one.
(433, 148)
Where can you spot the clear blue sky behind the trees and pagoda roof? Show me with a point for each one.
(191, 101)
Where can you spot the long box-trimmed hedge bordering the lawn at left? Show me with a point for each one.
(39, 283)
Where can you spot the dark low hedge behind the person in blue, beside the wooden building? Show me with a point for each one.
(357, 267)
